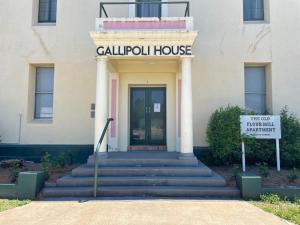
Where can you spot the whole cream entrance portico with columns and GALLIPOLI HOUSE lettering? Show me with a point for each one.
(144, 59)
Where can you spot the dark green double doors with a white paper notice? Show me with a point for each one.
(148, 116)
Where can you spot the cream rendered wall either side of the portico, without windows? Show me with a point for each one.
(225, 43)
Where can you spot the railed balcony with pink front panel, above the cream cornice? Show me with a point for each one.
(144, 15)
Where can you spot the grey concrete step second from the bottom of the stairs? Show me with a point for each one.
(69, 181)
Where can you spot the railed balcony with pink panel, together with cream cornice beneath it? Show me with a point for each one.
(144, 23)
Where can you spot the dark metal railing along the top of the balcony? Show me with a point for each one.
(102, 4)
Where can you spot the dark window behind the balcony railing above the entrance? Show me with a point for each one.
(148, 10)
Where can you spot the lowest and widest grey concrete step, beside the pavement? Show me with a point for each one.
(142, 191)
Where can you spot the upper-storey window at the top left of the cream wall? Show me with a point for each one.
(47, 11)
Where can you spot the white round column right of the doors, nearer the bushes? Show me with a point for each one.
(186, 148)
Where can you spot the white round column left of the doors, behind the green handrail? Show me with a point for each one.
(101, 110)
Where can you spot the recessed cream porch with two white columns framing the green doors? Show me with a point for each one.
(115, 79)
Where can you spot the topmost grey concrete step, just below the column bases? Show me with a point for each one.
(134, 162)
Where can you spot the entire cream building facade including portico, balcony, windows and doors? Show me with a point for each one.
(225, 46)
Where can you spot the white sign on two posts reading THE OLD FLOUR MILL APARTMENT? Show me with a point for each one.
(261, 127)
